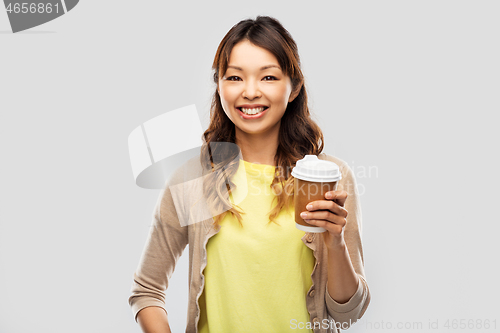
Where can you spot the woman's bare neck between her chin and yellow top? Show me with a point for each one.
(258, 148)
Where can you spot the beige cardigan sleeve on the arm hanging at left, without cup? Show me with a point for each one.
(166, 241)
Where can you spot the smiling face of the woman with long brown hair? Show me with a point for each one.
(254, 81)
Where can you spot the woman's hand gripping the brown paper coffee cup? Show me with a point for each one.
(331, 215)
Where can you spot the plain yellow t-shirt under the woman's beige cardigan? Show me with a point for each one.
(257, 276)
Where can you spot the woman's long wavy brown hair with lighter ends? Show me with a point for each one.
(299, 135)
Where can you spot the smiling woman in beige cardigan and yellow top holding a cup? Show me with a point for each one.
(251, 270)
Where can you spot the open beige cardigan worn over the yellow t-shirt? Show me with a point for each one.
(167, 240)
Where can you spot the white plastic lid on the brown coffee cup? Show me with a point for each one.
(312, 169)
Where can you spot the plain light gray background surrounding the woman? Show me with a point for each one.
(408, 88)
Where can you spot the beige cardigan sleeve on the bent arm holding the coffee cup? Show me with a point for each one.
(348, 313)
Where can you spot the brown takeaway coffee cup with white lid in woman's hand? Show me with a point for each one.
(313, 178)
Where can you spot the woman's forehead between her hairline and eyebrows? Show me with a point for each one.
(247, 56)
